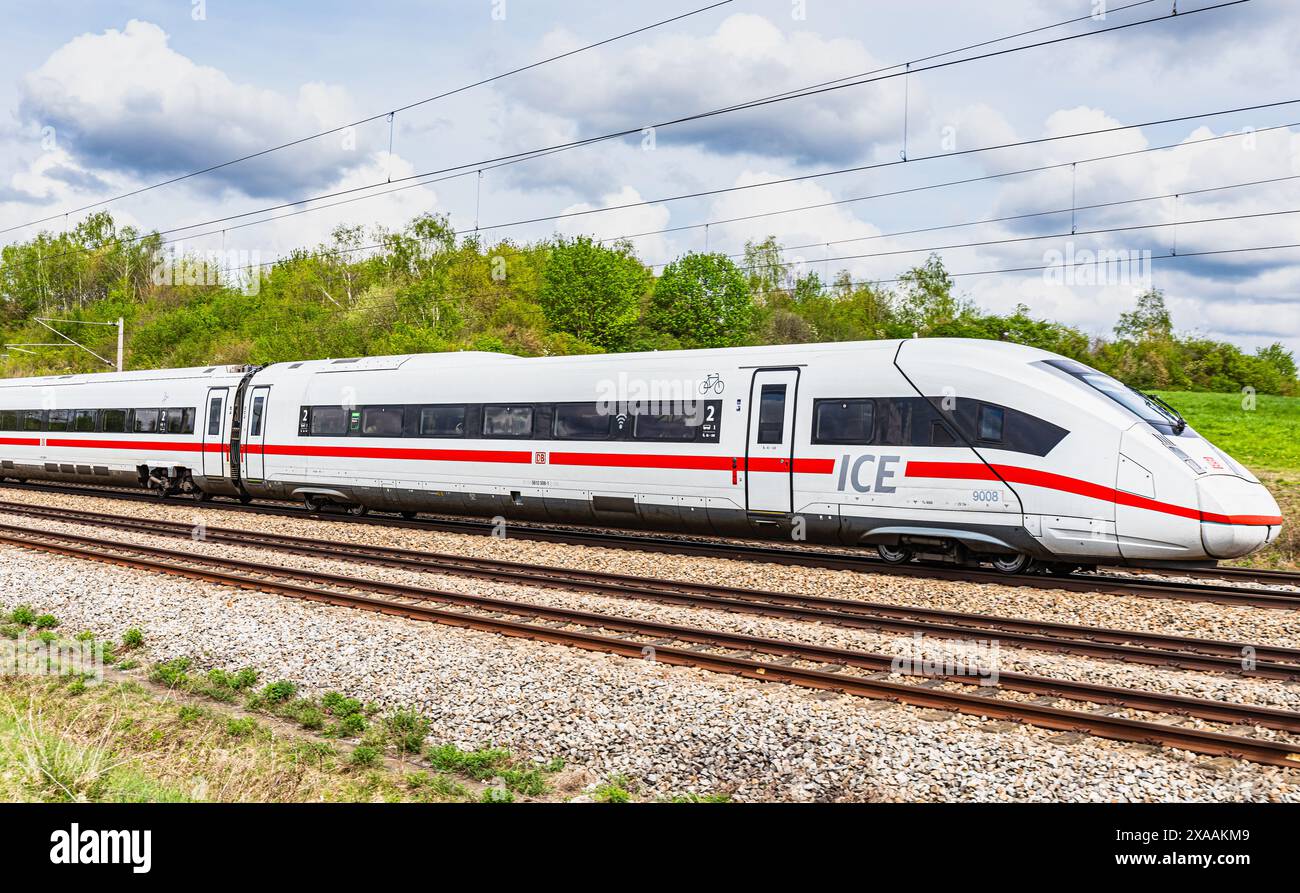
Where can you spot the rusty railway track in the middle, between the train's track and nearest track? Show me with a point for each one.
(1158, 649)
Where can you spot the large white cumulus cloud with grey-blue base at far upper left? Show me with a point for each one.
(127, 101)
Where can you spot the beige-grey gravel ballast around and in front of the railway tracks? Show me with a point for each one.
(675, 730)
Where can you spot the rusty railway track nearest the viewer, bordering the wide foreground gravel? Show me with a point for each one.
(853, 673)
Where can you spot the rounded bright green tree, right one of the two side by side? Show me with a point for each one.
(704, 302)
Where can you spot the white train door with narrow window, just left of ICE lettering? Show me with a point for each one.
(770, 453)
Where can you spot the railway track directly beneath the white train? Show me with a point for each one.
(786, 556)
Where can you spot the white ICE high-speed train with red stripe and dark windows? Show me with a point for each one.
(939, 449)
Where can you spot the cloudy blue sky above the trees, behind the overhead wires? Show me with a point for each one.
(101, 98)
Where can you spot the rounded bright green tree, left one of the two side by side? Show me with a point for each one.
(593, 292)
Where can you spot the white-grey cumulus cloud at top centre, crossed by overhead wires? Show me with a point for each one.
(746, 58)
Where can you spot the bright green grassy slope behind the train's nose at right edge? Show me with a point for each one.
(1267, 437)
